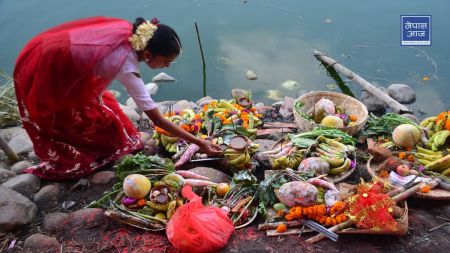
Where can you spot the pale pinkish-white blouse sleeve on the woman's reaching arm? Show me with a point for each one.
(134, 85)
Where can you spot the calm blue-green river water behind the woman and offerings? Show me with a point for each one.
(273, 38)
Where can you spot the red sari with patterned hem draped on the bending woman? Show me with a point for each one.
(60, 80)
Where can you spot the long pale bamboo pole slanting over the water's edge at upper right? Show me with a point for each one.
(366, 85)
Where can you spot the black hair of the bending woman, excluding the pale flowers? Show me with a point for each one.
(165, 40)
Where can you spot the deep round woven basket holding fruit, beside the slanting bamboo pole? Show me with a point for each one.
(349, 104)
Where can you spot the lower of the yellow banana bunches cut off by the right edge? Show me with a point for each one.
(434, 160)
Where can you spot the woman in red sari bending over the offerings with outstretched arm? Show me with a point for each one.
(61, 77)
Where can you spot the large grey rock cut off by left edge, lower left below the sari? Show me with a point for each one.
(15, 210)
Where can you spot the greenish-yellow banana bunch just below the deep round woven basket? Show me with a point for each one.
(335, 153)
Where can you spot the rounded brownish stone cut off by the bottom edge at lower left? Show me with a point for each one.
(41, 243)
